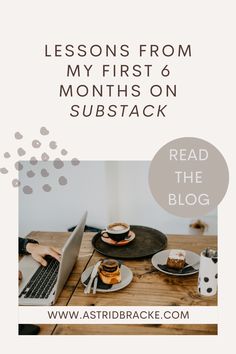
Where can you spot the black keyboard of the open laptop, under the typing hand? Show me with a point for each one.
(43, 280)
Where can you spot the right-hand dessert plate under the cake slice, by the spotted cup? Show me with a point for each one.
(159, 261)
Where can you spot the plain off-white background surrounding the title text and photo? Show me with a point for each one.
(204, 109)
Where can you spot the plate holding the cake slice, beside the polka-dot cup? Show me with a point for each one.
(161, 258)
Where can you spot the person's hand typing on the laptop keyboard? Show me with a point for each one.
(38, 252)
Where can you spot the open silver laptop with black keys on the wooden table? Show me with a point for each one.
(42, 285)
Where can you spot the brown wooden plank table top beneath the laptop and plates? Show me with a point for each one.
(148, 288)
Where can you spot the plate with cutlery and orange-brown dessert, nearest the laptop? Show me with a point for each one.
(126, 278)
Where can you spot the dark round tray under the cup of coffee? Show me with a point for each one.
(147, 242)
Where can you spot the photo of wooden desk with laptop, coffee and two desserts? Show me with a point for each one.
(147, 256)
